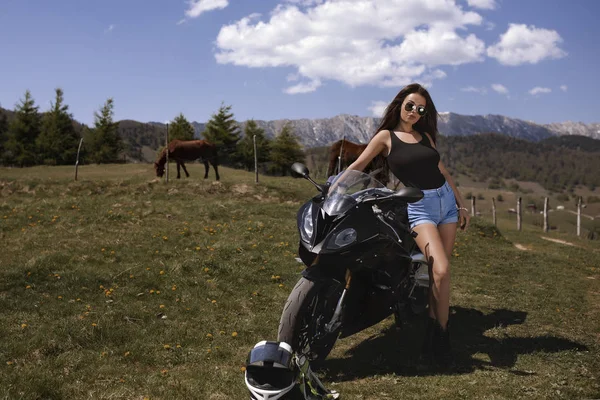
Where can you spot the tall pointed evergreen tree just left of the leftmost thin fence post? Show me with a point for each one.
(58, 141)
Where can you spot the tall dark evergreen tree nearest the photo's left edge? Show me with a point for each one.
(25, 128)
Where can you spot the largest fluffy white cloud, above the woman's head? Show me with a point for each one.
(356, 42)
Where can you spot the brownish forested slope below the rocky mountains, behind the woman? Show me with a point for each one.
(489, 157)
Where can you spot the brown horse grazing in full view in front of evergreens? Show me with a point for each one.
(188, 150)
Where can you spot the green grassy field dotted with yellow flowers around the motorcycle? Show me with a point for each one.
(121, 287)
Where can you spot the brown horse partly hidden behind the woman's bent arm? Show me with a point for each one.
(349, 152)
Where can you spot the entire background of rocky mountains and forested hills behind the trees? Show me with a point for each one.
(517, 149)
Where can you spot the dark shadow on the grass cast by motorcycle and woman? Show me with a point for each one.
(398, 352)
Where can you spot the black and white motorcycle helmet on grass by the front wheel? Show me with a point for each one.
(270, 370)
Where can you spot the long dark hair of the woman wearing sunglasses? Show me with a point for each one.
(427, 123)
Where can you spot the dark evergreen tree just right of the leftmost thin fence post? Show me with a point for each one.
(103, 142)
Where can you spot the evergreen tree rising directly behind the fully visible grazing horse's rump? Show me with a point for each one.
(223, 131)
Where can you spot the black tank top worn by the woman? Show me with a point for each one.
(415, 164)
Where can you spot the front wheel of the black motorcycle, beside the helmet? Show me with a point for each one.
(308, 308)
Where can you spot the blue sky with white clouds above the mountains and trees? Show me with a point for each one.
(535, 60)
